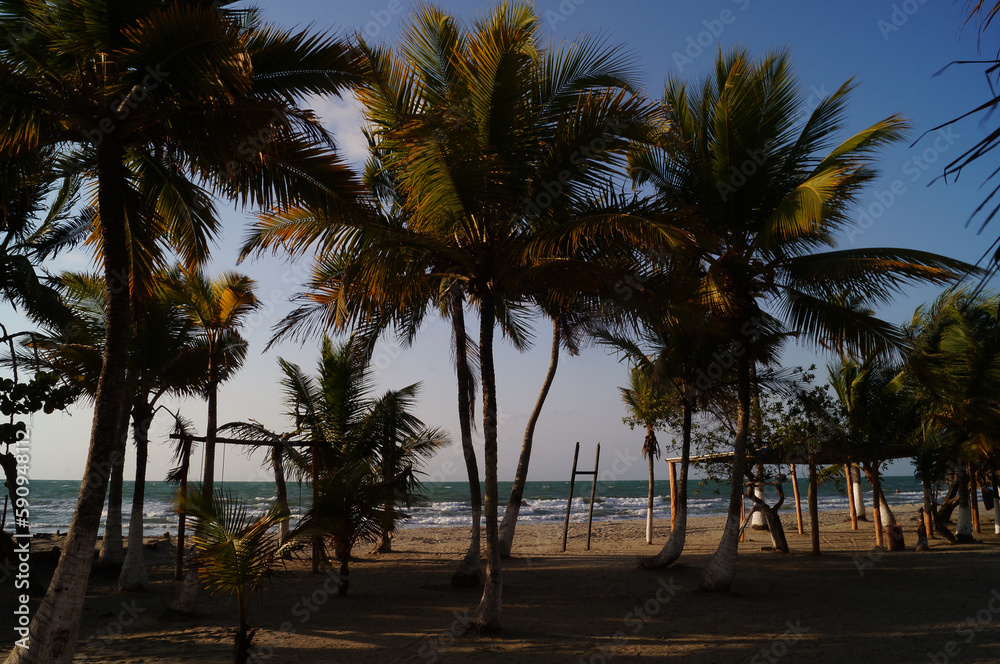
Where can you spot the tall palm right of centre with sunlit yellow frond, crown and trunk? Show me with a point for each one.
(762, 199)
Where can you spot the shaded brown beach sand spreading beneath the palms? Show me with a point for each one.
(848, 605)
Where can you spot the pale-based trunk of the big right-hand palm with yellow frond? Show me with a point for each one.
(721, 569)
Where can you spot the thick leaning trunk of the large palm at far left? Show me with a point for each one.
(54, 628)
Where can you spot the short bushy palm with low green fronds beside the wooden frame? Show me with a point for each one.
(364, 450)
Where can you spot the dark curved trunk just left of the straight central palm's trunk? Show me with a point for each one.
(470, 572)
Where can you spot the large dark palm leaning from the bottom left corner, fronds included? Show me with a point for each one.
(164, 103)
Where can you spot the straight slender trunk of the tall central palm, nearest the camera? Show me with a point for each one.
(487, 615)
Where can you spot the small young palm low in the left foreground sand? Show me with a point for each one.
(235, 553)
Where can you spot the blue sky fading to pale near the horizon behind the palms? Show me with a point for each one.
(892, 49)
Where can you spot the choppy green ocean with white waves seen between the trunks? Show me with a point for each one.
(52, 501)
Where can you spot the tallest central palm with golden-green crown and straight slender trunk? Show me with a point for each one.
(483, 129)
